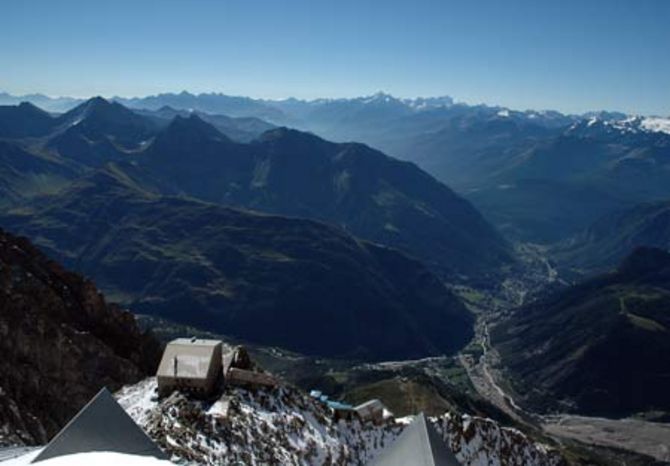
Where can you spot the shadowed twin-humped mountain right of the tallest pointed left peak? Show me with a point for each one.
(351, 185)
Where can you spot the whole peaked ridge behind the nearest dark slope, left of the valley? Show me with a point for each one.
(285, 172)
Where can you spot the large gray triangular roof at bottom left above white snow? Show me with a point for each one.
(101, 425)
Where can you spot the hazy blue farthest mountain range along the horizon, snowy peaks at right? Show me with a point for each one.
(539, 176)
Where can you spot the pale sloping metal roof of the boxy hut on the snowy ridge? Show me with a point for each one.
(187, 358)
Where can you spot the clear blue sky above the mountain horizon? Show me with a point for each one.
(570, 55)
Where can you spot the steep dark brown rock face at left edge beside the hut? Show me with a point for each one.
(60, 343)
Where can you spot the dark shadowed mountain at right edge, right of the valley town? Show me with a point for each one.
(600, 347)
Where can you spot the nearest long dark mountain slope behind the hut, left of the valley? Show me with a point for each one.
(273, 280)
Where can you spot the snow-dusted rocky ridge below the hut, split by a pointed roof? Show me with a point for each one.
(285, 426)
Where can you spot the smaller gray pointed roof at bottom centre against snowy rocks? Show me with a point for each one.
(419, 445)
